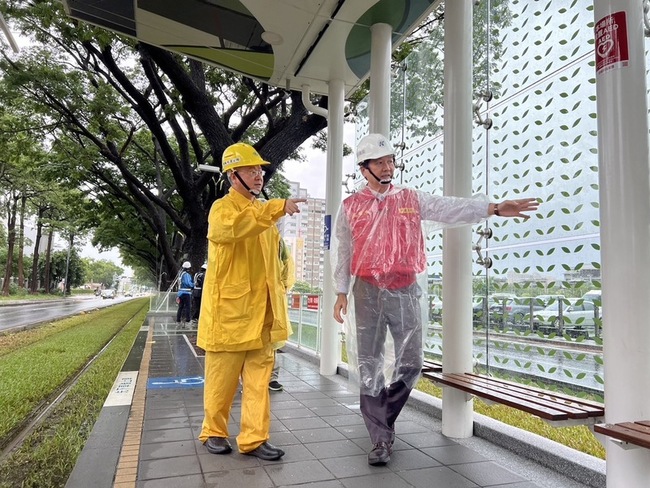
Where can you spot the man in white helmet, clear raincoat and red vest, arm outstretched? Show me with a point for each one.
(379, 255)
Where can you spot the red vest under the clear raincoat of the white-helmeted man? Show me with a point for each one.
(387, 240)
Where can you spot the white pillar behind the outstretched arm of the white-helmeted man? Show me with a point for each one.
(457, 410)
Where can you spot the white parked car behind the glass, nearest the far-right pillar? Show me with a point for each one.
(578, 314)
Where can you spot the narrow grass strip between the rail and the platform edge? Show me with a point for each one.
(49, 454)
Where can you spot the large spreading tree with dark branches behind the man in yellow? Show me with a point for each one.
(130, 123)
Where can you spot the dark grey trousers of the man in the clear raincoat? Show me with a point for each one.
(376, 312)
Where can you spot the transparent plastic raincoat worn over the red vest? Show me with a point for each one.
(379, 255)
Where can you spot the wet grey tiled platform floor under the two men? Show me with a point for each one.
(316, 421)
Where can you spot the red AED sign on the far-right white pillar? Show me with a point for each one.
(612, 50)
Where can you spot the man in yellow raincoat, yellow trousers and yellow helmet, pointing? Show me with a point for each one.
(244, 310)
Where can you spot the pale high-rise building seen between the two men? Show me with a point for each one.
(303, 234)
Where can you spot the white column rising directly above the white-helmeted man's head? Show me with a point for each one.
(380, 50)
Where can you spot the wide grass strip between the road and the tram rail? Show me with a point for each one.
(31, 374)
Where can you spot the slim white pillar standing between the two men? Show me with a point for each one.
(330, 343)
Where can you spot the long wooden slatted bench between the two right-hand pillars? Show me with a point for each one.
(557, 408)
